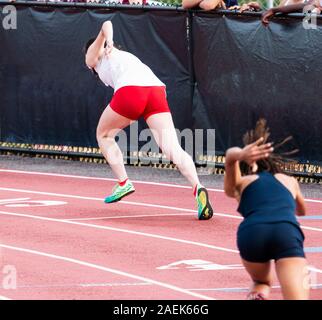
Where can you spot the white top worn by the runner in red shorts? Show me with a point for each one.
(122, 69)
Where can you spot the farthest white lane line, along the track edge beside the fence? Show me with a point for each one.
(115, 180)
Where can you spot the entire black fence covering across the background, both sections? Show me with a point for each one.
(223, 71)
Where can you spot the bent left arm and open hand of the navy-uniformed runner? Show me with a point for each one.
(249, 154)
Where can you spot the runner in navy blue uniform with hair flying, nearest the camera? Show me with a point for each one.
(268, 200)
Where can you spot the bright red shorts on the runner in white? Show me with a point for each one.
(134, 102)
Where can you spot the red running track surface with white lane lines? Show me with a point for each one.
(63, 242)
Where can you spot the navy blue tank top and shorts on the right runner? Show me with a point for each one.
(270, 229)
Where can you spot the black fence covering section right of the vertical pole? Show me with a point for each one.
(245, 71)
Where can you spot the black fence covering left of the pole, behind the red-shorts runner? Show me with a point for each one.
(49, 96)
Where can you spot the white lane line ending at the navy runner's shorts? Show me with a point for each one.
(144, 234)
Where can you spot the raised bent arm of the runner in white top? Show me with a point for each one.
(96, 49)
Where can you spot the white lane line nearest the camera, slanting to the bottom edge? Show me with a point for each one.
(102, 268)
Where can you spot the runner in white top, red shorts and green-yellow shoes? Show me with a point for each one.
(137, 93)
